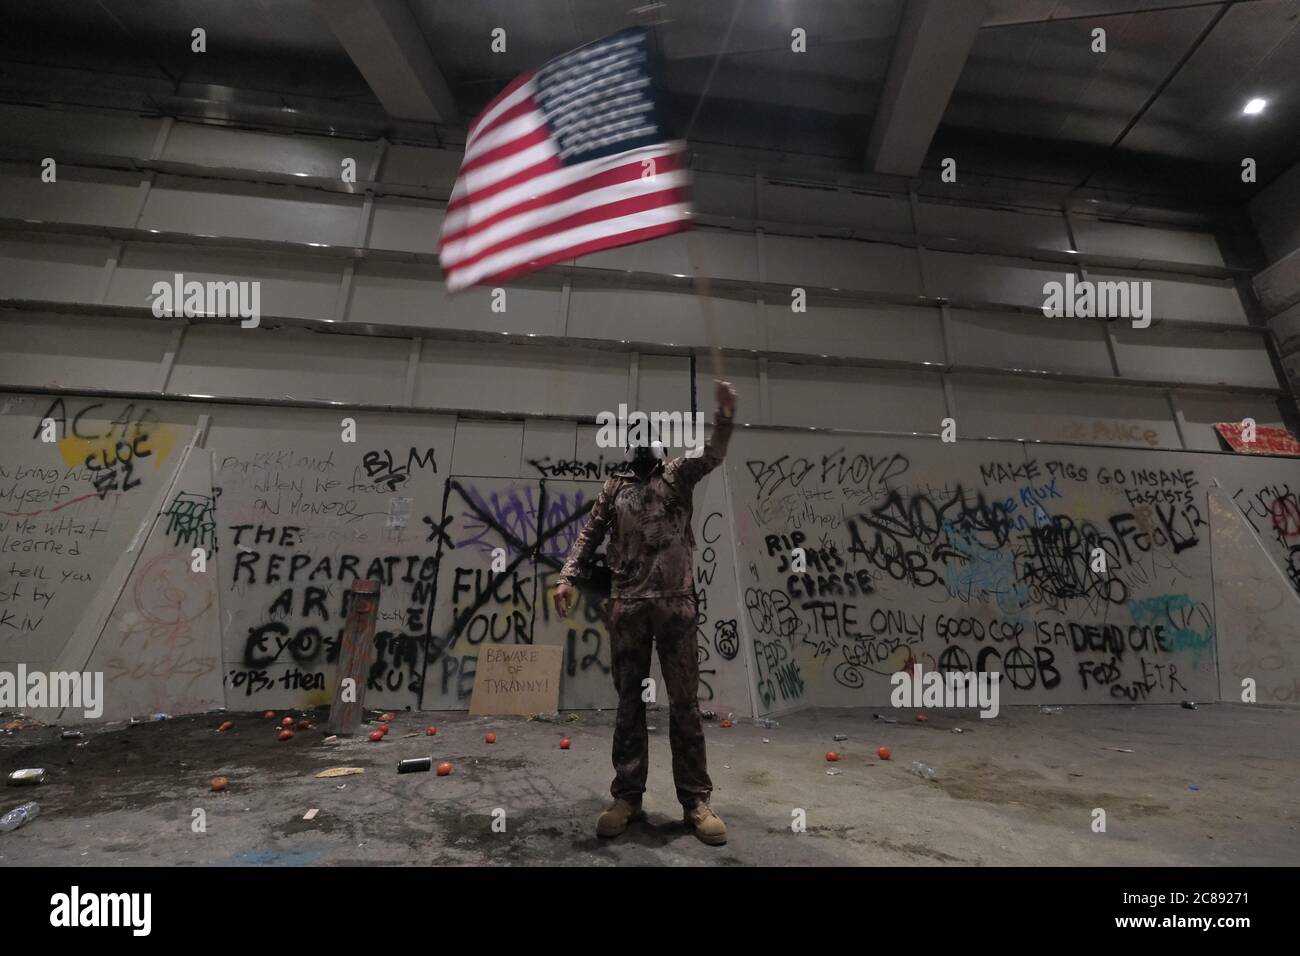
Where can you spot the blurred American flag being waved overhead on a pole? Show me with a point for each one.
(566, 162)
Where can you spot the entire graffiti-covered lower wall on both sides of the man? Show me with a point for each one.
(825, 564)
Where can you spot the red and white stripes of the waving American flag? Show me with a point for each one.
(517, 207)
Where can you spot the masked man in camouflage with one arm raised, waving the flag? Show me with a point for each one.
(645, 512)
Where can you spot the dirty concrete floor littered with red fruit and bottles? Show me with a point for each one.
(1019, 790)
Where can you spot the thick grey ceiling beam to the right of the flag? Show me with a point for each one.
(930, 51)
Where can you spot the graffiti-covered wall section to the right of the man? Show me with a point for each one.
(1082, 576)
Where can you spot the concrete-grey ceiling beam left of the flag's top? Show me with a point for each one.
(388, 47)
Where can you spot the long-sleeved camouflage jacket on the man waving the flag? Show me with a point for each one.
(648, 524)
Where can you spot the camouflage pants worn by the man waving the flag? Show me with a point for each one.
(671, 625)
